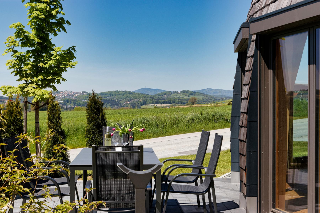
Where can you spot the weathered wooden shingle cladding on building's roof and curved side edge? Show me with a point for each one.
(248, 122)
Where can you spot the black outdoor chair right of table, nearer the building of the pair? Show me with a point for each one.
(204, 186)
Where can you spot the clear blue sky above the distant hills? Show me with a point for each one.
(132, 44)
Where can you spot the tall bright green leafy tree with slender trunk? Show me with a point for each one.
(42, 63)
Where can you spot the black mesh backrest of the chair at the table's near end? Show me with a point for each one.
(110, 184)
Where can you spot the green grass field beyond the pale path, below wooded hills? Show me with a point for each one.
(157, 122)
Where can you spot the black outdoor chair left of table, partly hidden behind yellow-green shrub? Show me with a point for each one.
(23, 157)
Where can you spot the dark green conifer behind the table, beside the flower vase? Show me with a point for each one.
(96, 119)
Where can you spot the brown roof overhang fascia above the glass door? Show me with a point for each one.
(300, 14)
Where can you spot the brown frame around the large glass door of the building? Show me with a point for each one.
(266, 70)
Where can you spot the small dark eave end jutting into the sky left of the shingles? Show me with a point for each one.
(241, 40)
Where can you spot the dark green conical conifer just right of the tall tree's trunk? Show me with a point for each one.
(55, 134)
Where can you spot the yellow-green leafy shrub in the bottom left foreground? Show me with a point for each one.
(14, 176)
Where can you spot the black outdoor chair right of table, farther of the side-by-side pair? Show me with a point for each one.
(198, 161)
